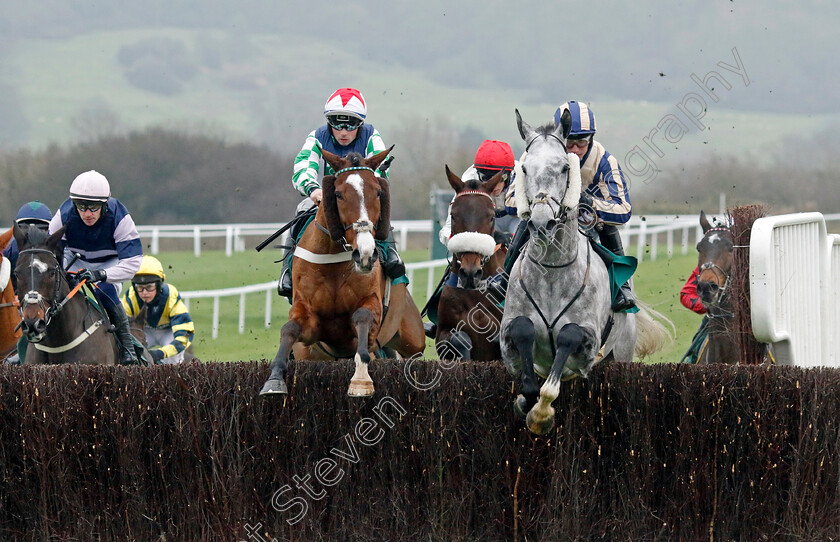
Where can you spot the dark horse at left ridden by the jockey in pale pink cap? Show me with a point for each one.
(62, 326)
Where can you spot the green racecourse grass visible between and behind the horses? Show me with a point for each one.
(657, 283)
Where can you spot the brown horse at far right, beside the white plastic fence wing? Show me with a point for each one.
(715, 265)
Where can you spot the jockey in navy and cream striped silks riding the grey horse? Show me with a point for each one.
(605, 192)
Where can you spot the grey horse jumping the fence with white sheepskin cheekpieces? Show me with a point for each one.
(557, 320)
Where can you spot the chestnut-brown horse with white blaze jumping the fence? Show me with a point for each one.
(339, 287)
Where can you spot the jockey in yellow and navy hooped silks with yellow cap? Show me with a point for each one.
(169, 328)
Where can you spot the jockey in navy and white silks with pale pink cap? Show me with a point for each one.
(101, 231)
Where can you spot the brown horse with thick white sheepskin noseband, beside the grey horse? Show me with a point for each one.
(468, 312)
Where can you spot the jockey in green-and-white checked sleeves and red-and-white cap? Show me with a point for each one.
(345, 131)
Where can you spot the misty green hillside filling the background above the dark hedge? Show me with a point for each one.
(677, 90)
